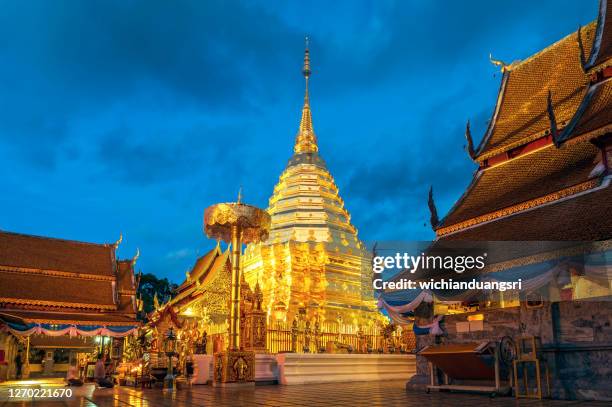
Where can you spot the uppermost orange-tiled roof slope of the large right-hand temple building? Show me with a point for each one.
(521, 112)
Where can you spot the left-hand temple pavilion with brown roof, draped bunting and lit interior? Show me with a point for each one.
(60, 301)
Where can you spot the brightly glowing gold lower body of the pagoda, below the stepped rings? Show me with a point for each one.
(312, 279)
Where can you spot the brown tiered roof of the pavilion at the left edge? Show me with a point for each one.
(62, 279)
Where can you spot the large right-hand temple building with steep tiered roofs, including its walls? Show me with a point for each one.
(543, 175)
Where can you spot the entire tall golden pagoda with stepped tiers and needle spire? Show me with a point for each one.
(313, 264)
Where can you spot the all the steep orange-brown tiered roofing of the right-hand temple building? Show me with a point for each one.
(530, 171)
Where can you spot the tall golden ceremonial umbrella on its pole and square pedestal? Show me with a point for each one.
(235, 223)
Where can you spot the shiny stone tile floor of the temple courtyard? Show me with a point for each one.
(390, 393)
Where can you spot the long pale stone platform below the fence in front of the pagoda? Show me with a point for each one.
(295, 368)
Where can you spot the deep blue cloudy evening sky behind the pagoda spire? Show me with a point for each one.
(133, 116)
